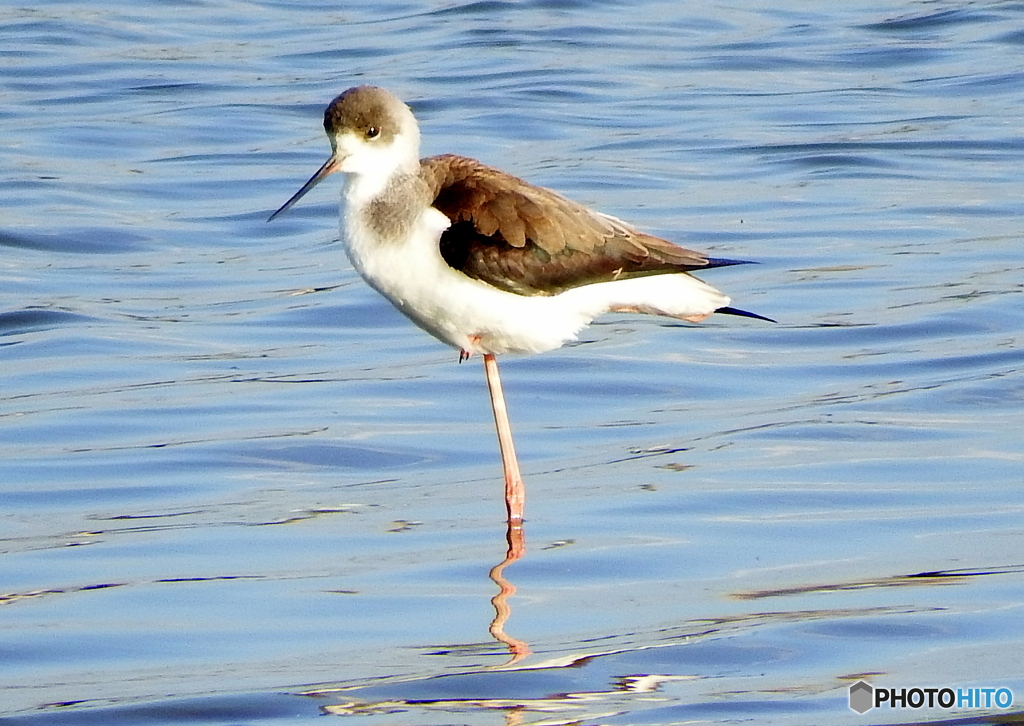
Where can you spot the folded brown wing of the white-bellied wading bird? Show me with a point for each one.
(531, 241)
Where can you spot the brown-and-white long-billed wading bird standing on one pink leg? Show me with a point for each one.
(487, 263)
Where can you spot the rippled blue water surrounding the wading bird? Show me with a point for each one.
(237, 487)
